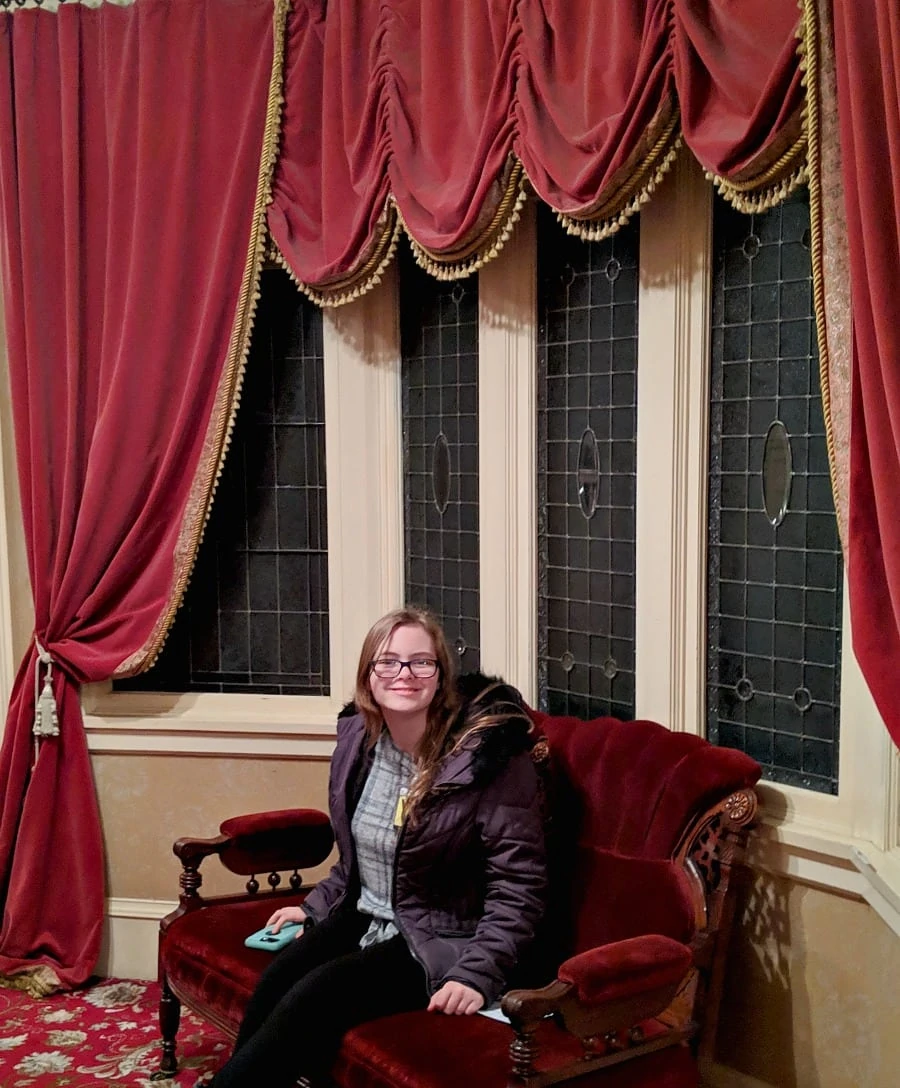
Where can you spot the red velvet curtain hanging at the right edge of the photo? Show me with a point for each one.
(868, 61)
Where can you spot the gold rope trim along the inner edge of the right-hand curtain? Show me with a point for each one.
(810, 66)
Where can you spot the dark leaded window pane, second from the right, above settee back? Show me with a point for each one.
(587, 418)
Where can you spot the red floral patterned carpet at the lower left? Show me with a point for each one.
(106, 1035)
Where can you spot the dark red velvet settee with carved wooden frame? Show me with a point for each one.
(644, 829)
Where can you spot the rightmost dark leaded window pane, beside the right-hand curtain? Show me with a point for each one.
(774, 590)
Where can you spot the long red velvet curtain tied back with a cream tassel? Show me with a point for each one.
(132, 191)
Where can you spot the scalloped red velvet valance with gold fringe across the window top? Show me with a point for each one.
(430, 112)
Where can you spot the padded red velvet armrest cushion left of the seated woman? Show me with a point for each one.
(274, 842)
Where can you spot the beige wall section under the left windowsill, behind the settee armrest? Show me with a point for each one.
(150, 801)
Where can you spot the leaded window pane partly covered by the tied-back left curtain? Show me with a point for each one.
(255, 617)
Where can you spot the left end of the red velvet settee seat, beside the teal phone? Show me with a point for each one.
(207, 963)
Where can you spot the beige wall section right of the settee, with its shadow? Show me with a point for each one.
(811, 994)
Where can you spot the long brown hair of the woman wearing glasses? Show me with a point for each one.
(447, 701)
